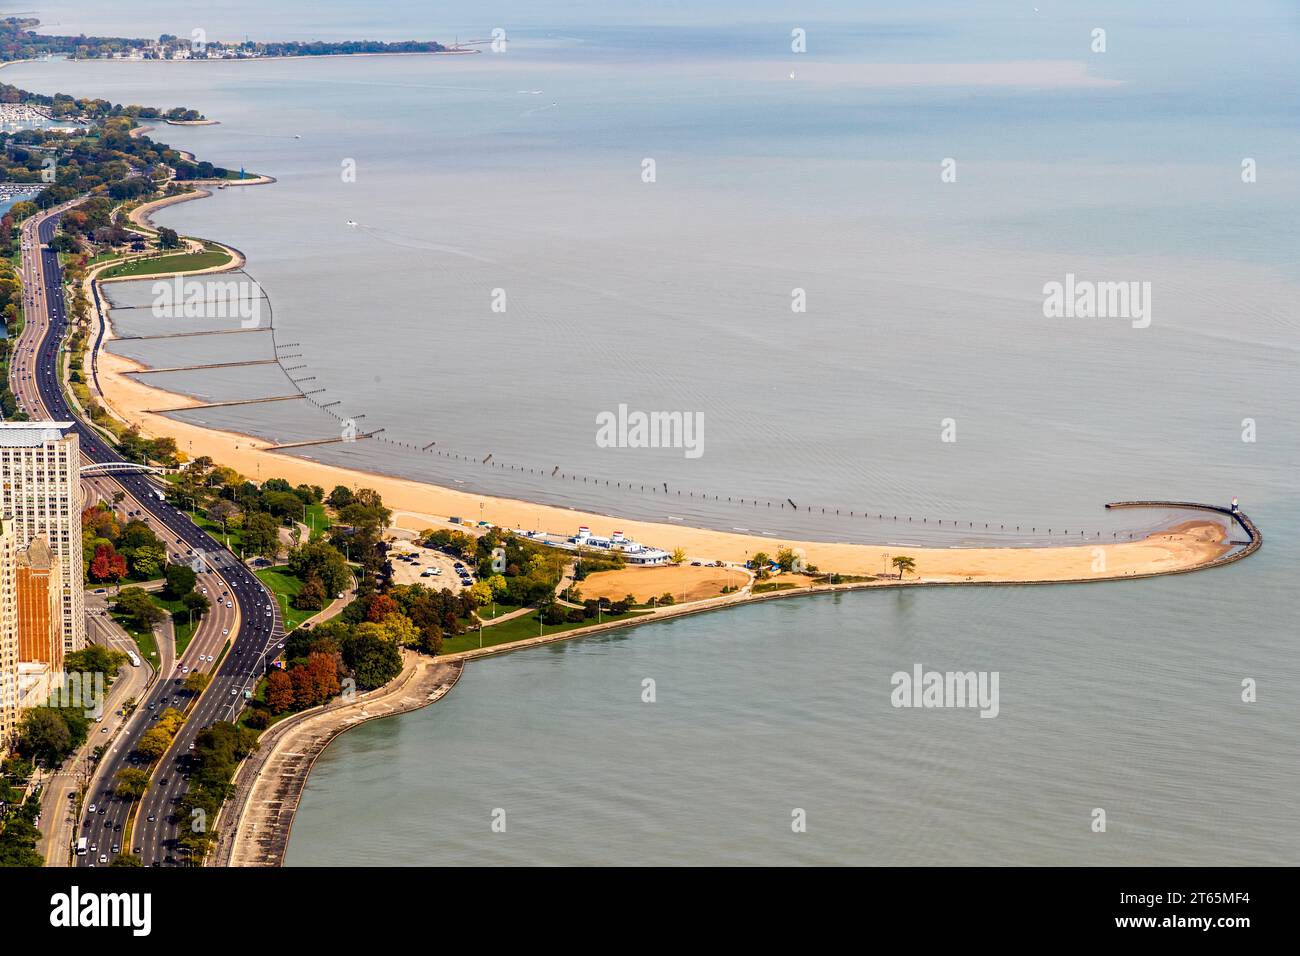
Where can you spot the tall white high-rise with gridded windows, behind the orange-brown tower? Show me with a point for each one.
(41, 496)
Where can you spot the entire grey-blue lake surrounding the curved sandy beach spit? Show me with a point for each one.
(523, 174)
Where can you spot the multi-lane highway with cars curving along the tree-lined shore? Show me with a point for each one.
(233, 643)
